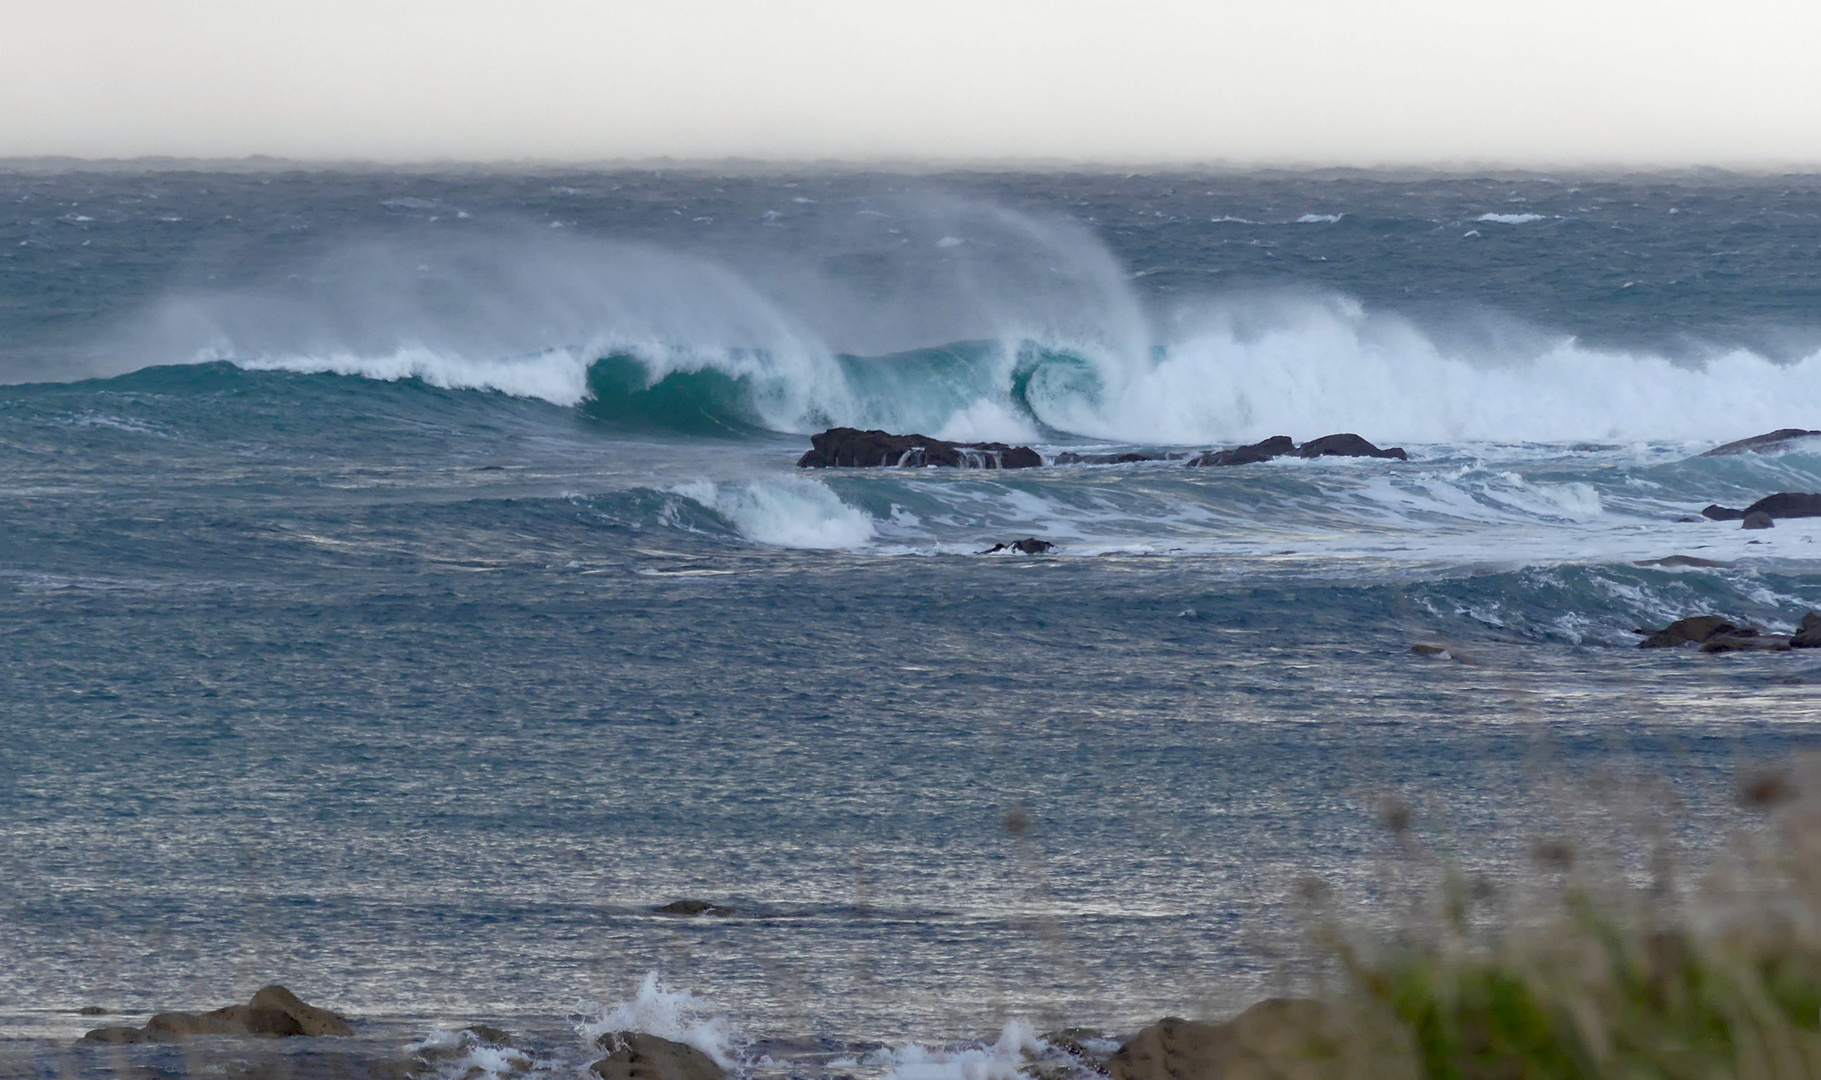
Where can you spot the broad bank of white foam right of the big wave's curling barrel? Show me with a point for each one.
(1308, 367)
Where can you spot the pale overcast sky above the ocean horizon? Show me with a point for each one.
(1536, 83)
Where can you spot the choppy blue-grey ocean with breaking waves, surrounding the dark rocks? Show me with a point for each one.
(407, 587)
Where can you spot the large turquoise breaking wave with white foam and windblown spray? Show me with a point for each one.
(1030, 329)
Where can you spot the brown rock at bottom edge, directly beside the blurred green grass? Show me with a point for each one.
(1283, 1039)
